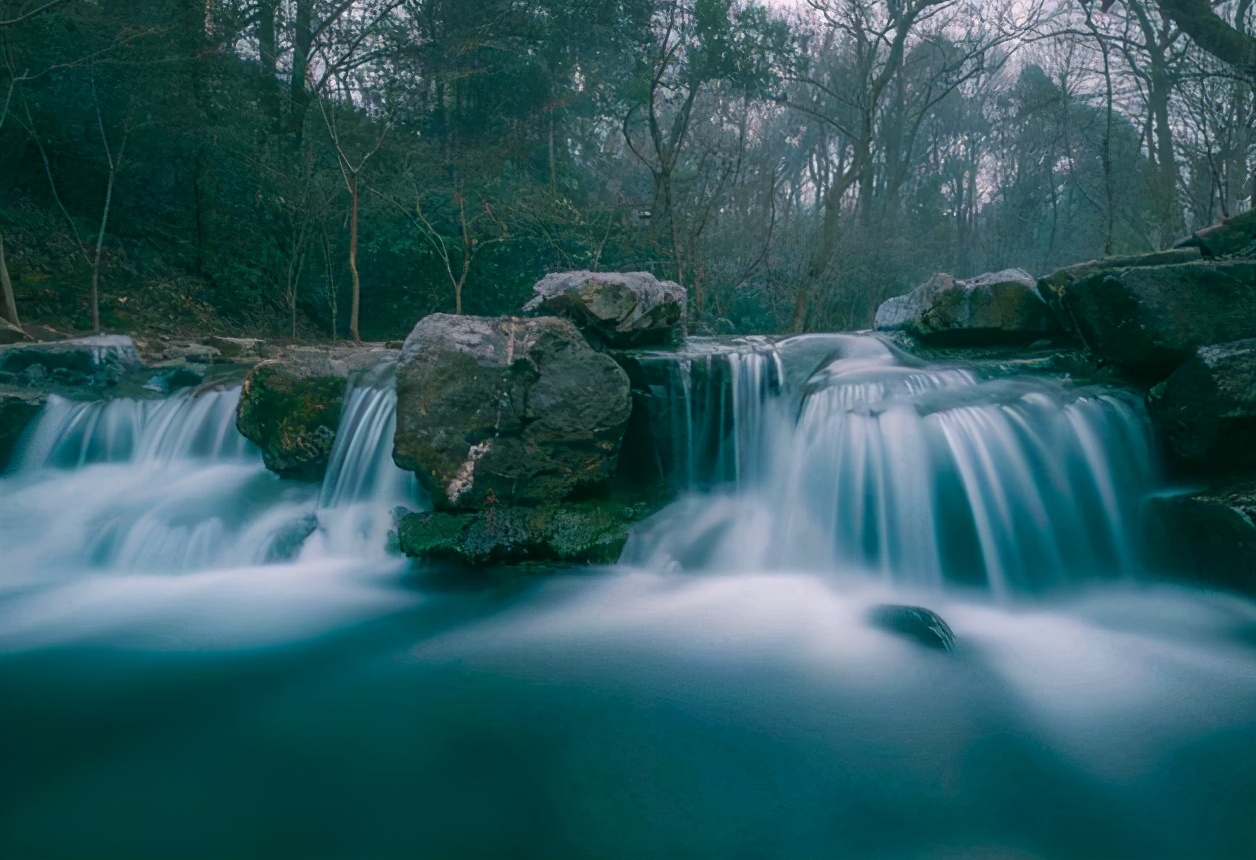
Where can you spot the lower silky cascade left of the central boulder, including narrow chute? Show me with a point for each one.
(170, 485)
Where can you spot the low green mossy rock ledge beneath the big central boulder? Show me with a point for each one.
(581, 534)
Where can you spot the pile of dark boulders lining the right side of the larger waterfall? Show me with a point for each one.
(1179, 325)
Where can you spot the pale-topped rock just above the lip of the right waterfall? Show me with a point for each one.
(1002, 307)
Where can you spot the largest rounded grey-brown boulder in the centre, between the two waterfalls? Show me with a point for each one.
(516, 411)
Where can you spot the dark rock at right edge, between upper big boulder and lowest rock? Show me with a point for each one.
(1206, 411)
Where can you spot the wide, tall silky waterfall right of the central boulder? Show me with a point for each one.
(918, 475)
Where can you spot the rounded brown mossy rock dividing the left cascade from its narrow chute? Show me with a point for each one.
(291, 409)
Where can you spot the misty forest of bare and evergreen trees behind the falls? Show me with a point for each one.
(246, 165)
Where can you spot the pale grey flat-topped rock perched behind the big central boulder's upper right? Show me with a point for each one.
(615, 309)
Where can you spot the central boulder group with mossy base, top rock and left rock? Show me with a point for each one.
(513, 425)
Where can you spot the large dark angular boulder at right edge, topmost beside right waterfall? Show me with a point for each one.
(1151, 320)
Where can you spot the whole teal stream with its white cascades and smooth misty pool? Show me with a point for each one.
(199, 660)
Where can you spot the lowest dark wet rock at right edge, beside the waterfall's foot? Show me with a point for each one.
(1208, 537)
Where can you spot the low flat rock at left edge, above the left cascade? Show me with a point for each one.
(99, 361)
